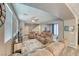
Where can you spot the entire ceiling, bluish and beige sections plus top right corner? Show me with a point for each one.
(45, 12)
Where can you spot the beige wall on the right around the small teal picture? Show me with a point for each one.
(71, 36)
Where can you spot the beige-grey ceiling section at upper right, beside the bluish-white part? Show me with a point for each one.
(58, 9)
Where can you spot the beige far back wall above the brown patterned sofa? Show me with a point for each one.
(39, 28)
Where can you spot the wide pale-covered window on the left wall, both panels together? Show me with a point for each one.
(11, 25)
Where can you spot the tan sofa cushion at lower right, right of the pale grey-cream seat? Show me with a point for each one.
(55, 48)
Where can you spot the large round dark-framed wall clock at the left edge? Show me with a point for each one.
(2, 14)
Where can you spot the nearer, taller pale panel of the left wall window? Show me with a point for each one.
(8, 26)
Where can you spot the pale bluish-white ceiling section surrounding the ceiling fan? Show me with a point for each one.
(25, 13)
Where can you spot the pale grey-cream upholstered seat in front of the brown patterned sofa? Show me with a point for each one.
(31, 45)
